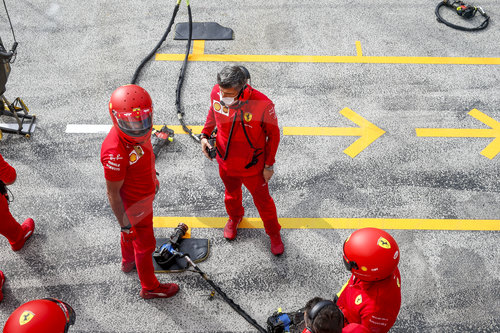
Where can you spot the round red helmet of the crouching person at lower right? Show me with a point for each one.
(371, 254)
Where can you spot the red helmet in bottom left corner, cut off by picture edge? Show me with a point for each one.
(40, 316)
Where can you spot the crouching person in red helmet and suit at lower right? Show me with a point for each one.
(372, 296)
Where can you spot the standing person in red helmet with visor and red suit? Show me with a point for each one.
(129, 169)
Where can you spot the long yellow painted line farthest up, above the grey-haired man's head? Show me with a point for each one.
(331, 59)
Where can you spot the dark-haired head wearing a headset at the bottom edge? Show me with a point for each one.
(328, 320)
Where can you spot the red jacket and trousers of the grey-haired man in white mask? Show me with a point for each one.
(258, 116)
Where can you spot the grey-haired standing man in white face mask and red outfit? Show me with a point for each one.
(247, 140)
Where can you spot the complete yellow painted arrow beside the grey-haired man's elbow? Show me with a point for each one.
(366, 131)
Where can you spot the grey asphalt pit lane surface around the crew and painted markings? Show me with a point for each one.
(72, 55)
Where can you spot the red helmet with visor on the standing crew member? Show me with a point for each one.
(131, 110)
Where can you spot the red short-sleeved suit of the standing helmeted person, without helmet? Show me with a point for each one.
(135, 164)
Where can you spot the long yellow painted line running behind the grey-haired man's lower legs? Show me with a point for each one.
(334, 223)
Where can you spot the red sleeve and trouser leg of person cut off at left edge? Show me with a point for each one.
(8, 225)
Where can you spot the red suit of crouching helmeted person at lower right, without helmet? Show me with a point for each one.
(372, 304)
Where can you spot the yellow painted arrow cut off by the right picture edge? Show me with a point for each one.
(494, 132)
